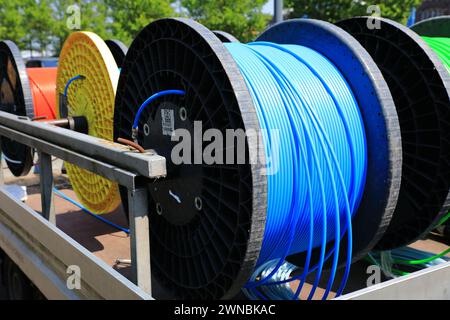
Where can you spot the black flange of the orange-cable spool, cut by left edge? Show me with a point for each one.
(15, 98)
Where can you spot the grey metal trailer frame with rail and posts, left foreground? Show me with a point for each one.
(110, 160)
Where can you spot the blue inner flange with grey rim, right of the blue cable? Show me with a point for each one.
(380, 121)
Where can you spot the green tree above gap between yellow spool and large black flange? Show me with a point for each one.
(128, 17)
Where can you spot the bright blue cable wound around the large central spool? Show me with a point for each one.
(302, 98)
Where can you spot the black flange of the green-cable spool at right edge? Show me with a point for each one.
(420, 86)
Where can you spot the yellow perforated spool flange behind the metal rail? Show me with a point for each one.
(86, 54)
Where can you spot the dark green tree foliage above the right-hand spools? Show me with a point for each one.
(335, 10)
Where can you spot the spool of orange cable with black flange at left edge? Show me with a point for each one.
(28, 92)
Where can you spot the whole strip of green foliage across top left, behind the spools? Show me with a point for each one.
(42, 25)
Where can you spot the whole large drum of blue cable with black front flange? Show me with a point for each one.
(336, 142)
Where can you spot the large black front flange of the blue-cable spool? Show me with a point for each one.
(205, 251)
